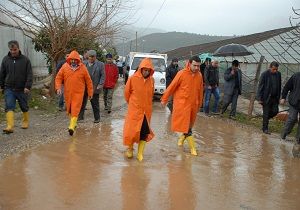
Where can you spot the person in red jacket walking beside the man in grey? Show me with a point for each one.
(111, 78)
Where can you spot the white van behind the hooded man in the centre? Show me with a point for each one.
(159, 62)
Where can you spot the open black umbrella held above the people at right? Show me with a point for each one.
(232, 50)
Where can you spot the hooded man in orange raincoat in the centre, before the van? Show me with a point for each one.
(138, 93)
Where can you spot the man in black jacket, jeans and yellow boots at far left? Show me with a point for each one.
(16, 81)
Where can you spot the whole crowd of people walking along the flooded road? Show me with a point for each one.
(81, 79)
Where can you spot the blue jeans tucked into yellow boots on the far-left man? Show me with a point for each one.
(11, 96)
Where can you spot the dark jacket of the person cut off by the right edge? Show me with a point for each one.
(293, 86)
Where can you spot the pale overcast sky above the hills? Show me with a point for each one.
(215, 17)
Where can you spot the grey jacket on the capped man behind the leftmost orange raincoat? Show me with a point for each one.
(97, 75)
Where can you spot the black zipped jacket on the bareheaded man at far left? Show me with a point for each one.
(16, 72)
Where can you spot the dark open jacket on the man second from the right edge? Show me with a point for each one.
(265, 88)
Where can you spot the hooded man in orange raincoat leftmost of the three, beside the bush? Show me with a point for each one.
(75, 77)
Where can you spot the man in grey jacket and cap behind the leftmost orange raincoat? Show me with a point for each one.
(97, 74)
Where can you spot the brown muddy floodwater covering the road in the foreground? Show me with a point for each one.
(236, 169)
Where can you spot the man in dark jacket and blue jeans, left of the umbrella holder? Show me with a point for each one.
(211, 80)
